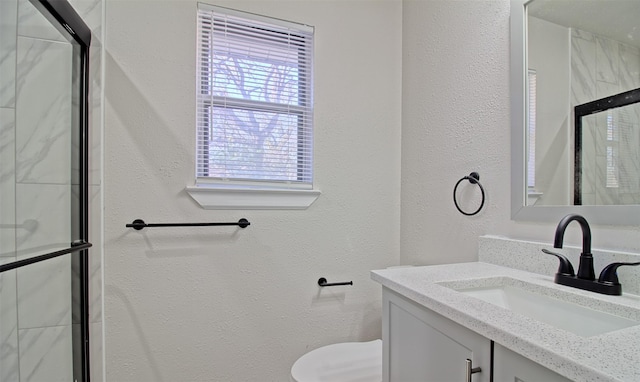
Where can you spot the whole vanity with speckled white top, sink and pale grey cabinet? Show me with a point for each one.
(446, 323)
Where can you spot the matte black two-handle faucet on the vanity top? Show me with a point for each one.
(607, 282)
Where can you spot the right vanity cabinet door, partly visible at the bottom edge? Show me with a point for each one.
(510, 366)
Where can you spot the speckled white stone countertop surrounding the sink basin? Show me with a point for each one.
(613, 356)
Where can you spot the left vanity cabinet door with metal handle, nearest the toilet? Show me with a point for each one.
(421, 345)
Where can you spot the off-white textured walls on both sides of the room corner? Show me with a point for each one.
(227, 304)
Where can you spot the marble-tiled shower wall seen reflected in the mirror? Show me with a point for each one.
(602, 67)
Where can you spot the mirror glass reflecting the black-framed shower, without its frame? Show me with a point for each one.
(580, 51)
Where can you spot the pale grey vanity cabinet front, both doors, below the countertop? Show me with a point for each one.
(420, 345)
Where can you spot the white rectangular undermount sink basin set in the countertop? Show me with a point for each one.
(544, 304)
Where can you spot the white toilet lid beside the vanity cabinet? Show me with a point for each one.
(343, 362)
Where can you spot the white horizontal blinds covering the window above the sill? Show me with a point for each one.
(254, 99)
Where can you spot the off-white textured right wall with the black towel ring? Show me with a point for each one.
(455, 119)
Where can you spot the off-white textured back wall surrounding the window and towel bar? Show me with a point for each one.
(225, 304)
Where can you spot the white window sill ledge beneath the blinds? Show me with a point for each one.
(211, 198)
